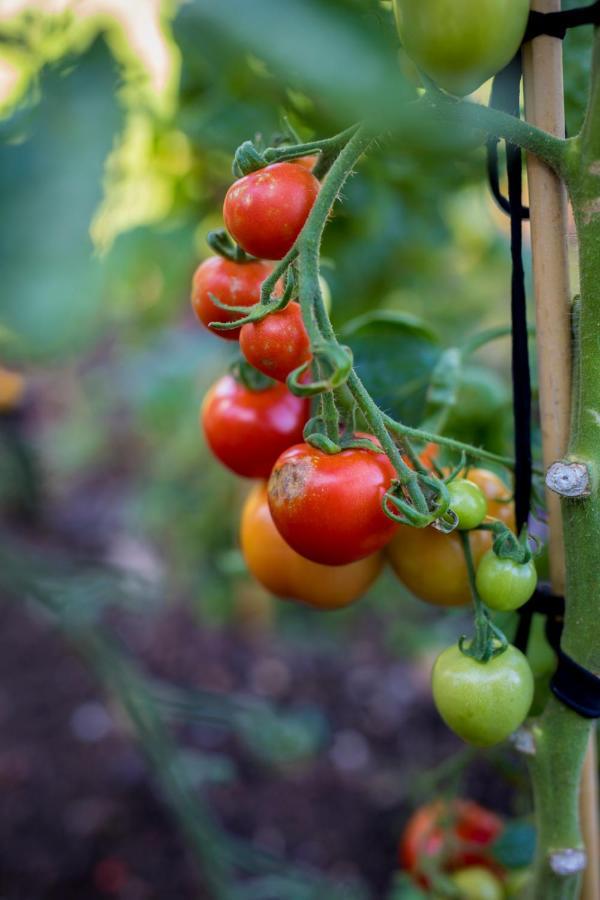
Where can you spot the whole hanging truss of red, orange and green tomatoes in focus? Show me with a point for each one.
(314, 528)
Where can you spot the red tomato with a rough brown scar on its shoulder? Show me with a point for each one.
(328, 506)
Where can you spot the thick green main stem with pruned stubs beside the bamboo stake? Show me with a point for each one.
(562, 736)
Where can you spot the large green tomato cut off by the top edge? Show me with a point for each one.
(461, 43)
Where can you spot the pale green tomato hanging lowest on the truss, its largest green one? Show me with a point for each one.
(482, 702)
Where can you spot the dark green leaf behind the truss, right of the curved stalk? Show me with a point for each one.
(394, 355)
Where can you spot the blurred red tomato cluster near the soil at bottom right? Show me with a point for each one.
(451, 844)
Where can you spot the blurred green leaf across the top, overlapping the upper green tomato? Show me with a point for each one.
(344, 53)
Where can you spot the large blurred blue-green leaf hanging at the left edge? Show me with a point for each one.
(52, 290)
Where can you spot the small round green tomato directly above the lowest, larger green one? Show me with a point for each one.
(504, 584)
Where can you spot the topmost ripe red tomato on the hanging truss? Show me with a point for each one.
(265, 210)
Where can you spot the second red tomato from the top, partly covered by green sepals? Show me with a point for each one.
(236, 284)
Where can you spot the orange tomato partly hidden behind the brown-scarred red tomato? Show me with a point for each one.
(286, 574)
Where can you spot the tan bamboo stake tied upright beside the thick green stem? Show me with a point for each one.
(544, 107)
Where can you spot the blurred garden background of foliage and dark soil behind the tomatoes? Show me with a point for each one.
(169, 729)
